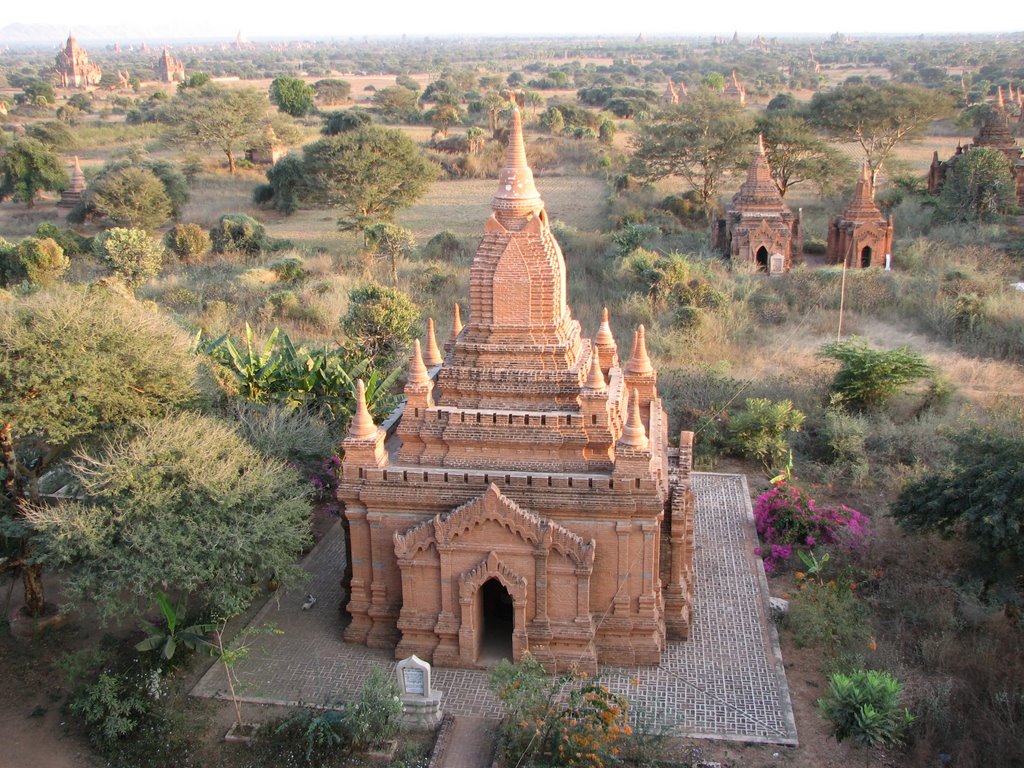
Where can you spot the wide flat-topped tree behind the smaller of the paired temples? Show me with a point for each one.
(878, 118)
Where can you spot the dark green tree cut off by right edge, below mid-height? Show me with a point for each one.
(978, 496)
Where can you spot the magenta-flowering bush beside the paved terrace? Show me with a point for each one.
(787, 520)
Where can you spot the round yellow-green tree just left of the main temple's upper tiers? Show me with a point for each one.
(381, 323)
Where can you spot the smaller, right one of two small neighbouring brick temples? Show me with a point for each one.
(861, 236)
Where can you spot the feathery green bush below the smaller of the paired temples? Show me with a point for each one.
(868, 377)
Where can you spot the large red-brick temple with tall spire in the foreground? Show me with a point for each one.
(525, 498)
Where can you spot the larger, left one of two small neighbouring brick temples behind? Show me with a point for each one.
(757, 227)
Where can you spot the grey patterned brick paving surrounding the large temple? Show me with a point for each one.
(727, 681)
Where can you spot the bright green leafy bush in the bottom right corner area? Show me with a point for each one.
(864, 708)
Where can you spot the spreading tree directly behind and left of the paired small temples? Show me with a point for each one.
(701, 141)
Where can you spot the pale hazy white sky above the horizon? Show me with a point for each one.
(343, 19)
